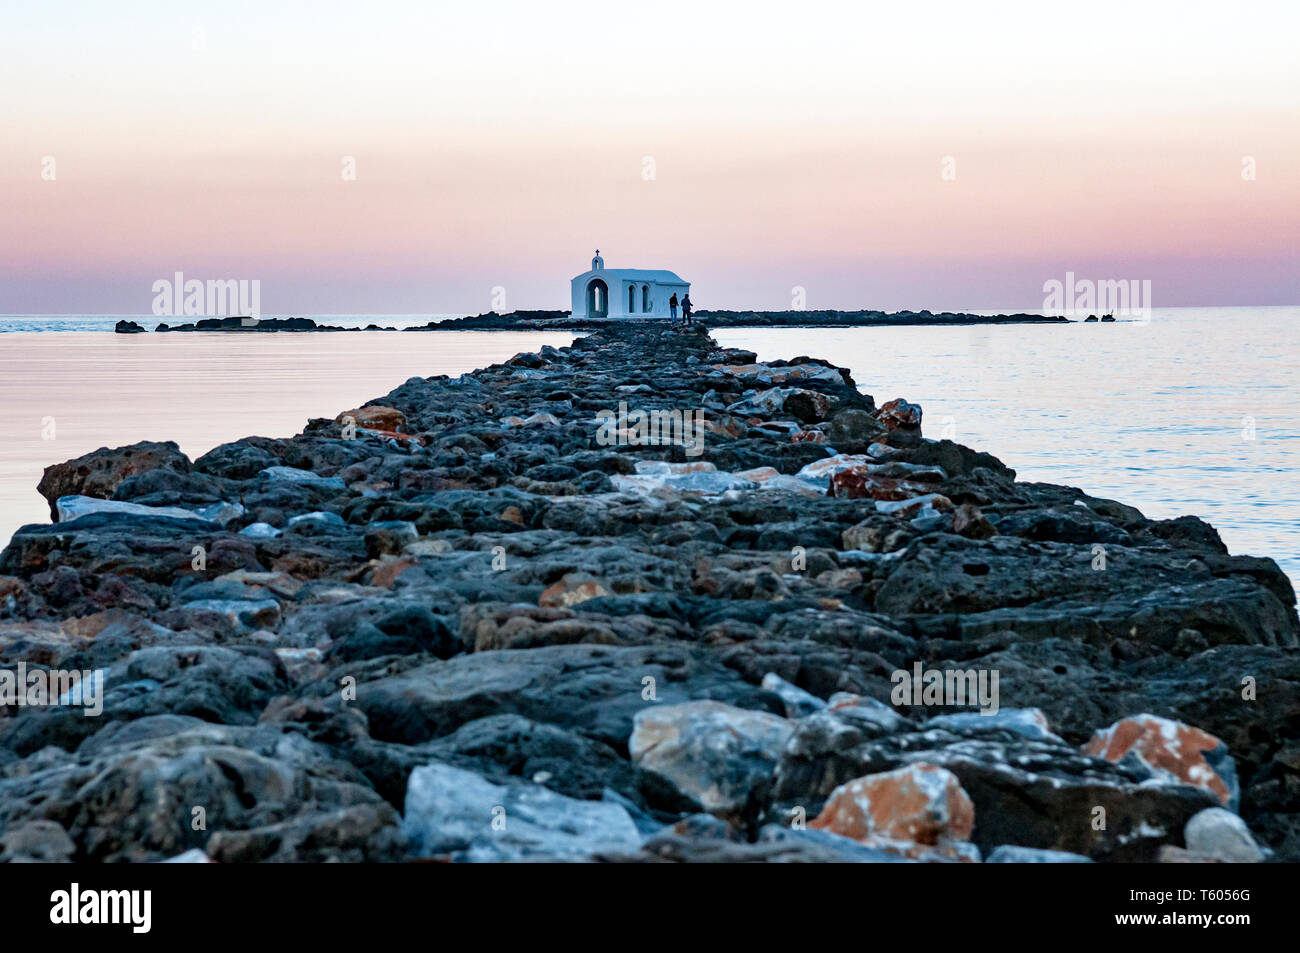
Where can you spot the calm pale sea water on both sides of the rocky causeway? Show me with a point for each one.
(1195, 413)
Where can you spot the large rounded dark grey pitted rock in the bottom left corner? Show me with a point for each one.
(136, 800)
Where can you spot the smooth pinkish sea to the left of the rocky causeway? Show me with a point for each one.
(67, 393)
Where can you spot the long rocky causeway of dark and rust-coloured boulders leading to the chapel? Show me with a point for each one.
(489, 618)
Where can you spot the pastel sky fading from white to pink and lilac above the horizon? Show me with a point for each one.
(753, 148)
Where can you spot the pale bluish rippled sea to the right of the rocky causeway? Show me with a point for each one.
(1195, 413)
